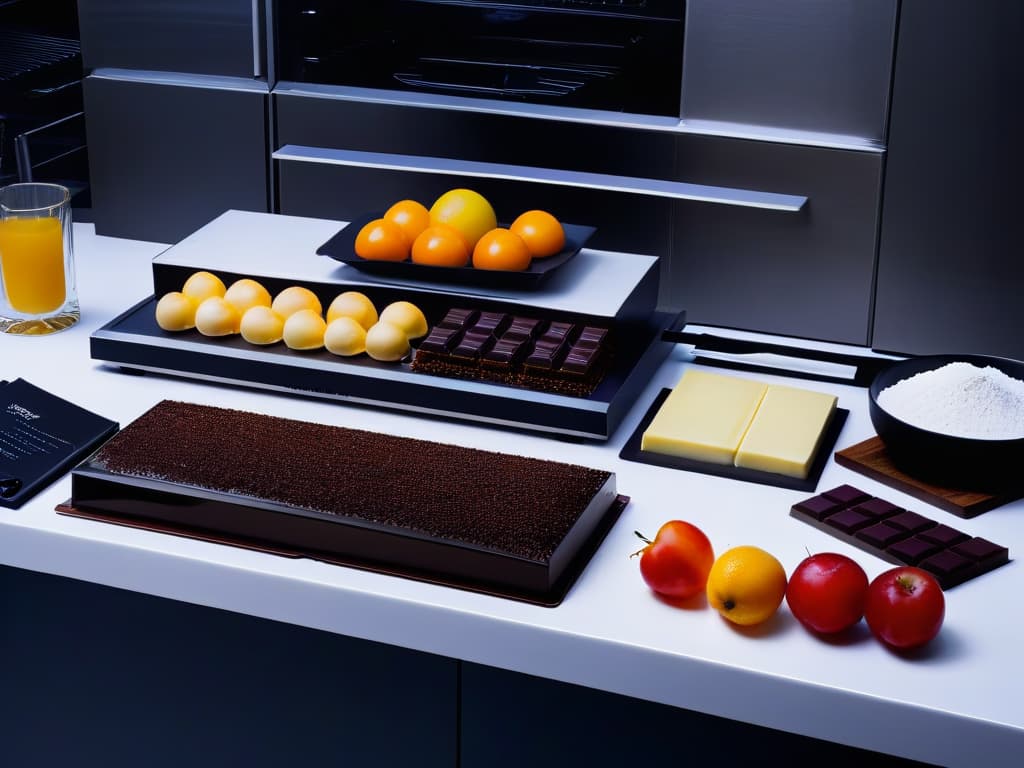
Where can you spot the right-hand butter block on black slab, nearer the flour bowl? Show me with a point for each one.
(787, 431)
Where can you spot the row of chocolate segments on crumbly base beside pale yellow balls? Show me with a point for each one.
(546, 356)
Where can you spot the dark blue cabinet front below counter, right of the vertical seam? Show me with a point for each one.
(511, 720)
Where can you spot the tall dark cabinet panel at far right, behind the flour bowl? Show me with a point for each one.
(950, 270)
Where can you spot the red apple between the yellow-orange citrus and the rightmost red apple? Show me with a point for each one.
(827, 592)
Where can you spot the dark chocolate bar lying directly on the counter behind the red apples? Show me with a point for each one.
(900, 536)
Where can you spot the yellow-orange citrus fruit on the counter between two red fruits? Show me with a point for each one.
(747, 585)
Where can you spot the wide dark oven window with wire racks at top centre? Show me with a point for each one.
(621, 56)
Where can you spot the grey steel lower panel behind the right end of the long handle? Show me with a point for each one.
(807, 275)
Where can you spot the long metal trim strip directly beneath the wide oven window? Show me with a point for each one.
(588, 117)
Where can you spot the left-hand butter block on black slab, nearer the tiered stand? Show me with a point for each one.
(705, 417)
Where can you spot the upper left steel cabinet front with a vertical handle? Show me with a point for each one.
(196, 36)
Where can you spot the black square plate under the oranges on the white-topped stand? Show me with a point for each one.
(343, 248)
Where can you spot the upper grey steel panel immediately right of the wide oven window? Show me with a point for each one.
(804, 65)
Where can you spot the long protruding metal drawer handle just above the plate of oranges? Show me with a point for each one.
(632, 185)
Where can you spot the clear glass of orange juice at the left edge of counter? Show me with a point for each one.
(37, 263)
